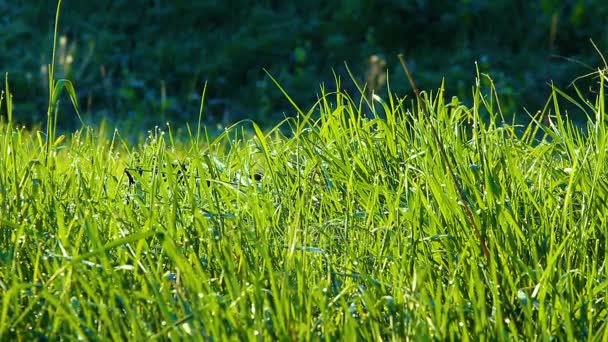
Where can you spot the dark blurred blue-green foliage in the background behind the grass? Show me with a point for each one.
(141, 62)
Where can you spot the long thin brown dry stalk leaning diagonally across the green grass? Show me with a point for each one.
(443, 153)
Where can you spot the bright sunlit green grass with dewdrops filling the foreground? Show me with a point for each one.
(330, 226)
